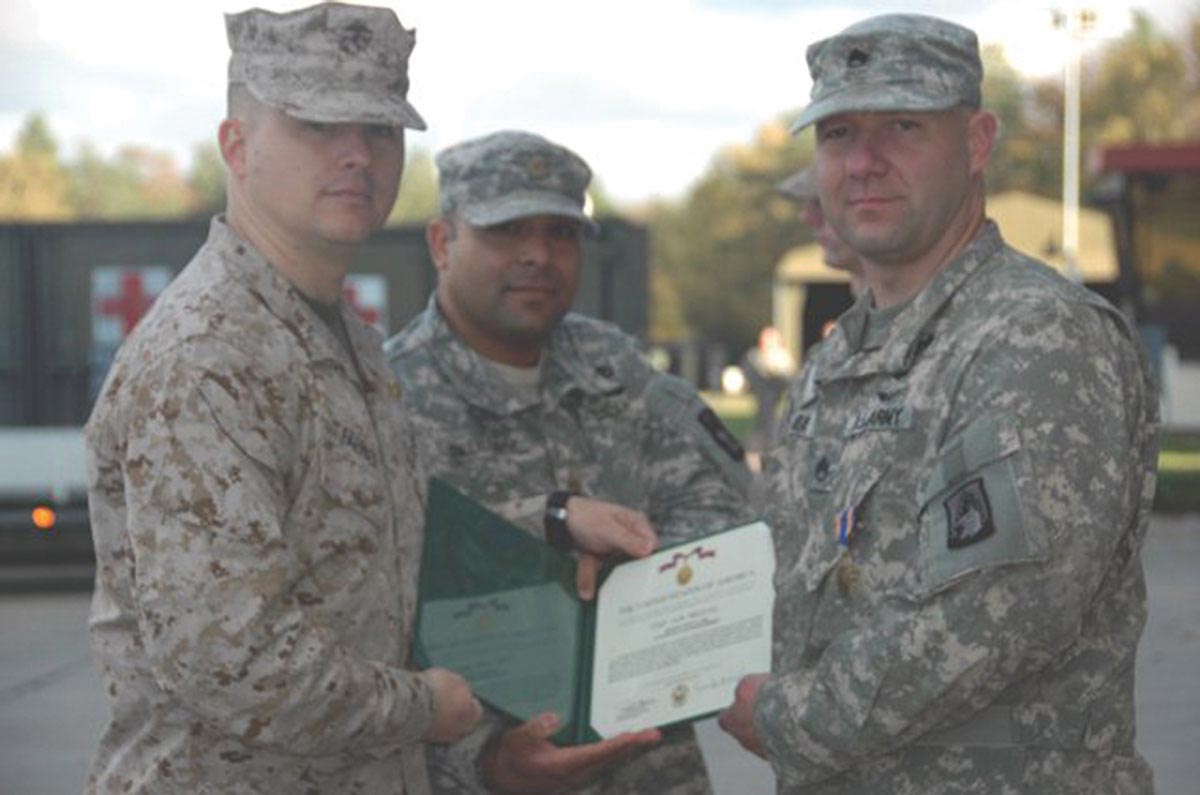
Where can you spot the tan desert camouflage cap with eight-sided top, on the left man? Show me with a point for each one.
(329, 63)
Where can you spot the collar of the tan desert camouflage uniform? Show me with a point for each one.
(285, 302)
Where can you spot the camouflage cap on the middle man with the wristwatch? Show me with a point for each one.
(512, 175)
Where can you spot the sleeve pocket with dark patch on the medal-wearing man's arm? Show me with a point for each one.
(971, 512)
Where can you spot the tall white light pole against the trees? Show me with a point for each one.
(1077, 23)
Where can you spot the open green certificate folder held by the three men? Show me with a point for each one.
(664, 642)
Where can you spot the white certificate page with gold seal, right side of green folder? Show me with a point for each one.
(676, 631)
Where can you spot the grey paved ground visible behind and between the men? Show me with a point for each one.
(52, 706)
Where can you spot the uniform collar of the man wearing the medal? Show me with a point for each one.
(913, 331)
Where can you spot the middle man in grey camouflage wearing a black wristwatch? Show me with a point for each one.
(518, 399)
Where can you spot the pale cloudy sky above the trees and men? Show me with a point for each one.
(646, 91)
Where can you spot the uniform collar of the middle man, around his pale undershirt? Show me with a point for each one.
(565, 370)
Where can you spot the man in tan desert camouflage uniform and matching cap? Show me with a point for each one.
(254, 498)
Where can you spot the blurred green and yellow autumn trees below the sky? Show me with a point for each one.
(713, 250)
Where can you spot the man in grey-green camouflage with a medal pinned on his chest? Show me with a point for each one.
(964, 479)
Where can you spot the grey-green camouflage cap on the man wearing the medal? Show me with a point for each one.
(893, 63)
